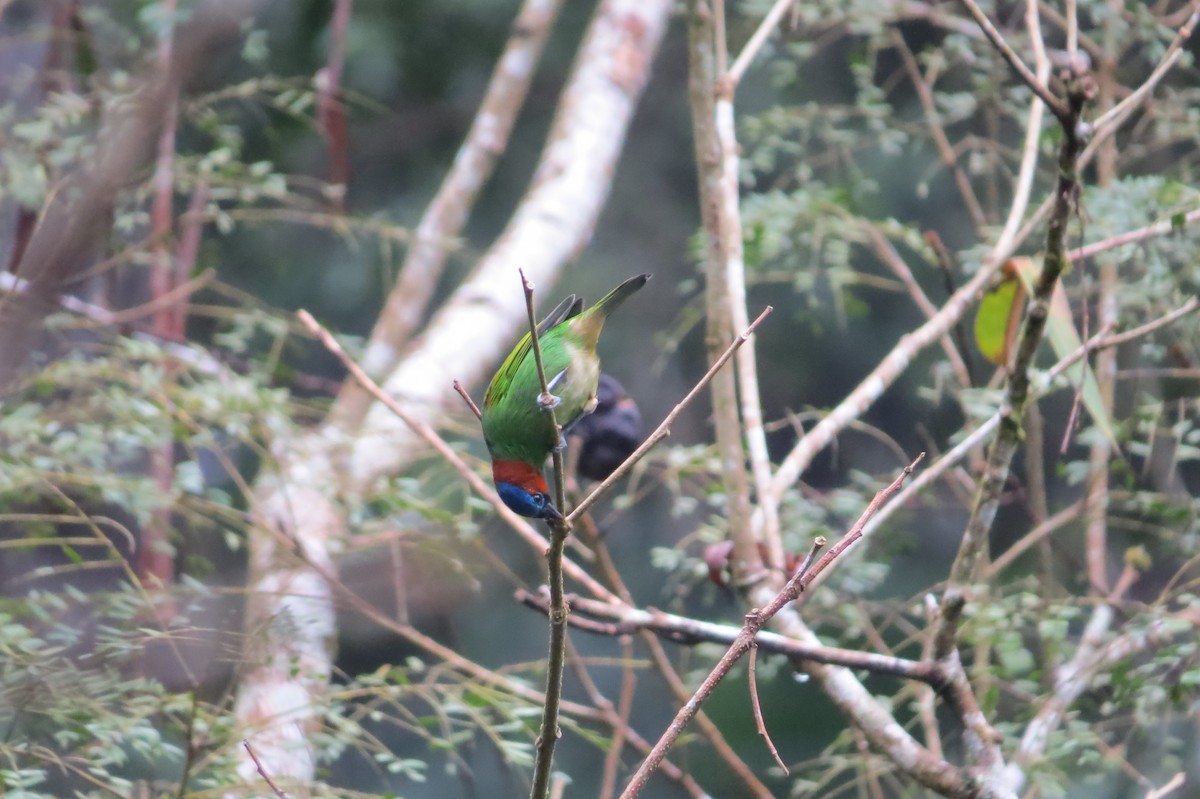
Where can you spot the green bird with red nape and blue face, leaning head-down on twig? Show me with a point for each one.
(518, 428)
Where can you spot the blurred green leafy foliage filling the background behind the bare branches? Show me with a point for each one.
(835, 139)
